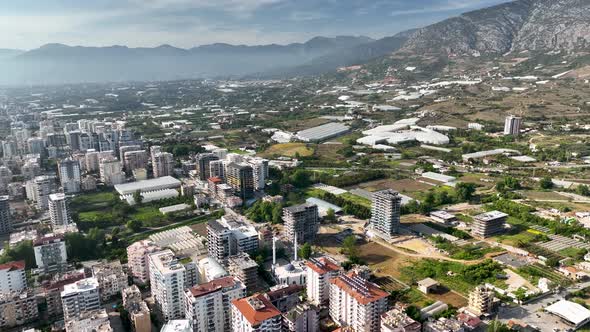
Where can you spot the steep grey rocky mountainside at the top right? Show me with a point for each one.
(534, 25)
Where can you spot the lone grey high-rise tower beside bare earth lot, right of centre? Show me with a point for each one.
(385, 212)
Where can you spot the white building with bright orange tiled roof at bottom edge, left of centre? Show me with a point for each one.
(255, 314)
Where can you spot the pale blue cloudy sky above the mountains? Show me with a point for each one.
(27, 24)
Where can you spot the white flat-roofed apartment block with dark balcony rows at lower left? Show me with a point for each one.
(80, 297)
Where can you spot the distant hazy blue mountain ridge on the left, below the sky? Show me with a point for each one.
(58, 63)
